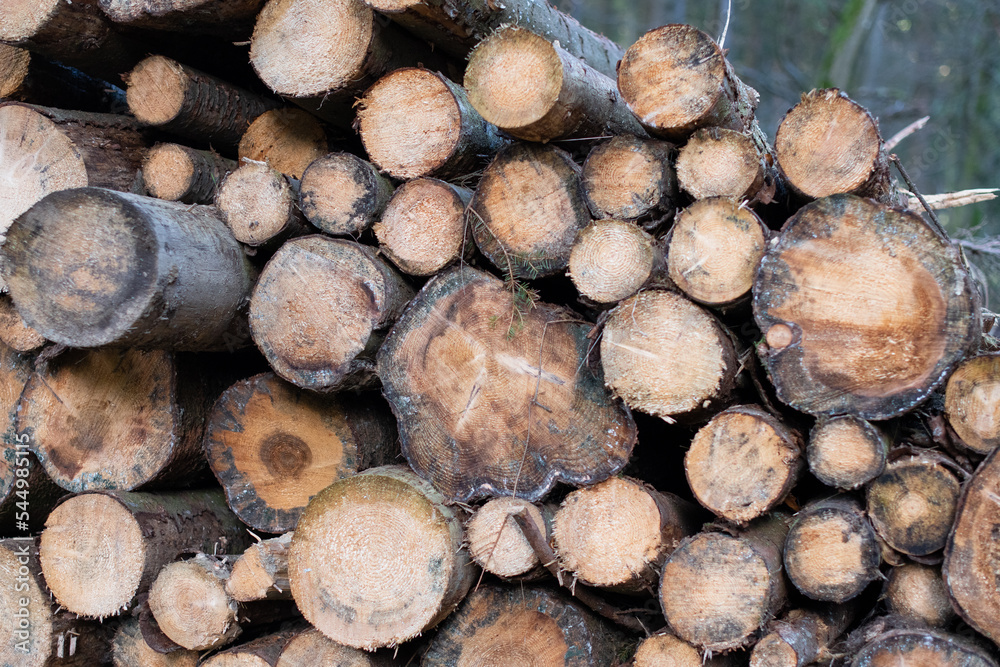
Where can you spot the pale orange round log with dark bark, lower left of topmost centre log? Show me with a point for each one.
(414, 122)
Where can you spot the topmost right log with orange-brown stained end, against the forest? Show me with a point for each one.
(676, 79)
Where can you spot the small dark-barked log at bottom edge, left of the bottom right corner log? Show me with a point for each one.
(803, 637)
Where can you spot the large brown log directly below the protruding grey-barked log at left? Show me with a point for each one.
(117, 419)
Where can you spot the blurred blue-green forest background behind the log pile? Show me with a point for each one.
(902, 59)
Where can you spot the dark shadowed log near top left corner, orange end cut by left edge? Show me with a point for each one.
(32, 78)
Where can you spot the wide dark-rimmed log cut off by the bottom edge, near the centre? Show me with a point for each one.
(522, 626)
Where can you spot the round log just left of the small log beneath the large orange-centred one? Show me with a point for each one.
(743, 463)
